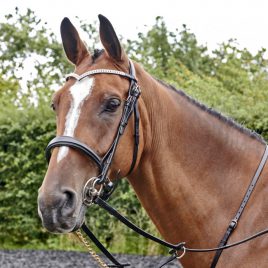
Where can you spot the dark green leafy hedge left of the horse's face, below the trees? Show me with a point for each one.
(22, 139)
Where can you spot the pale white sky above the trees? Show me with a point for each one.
(212, 21)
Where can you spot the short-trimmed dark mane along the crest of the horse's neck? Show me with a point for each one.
(227, 120)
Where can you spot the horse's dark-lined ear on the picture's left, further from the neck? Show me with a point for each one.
(74, 47)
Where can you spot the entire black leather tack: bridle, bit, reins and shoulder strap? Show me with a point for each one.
(98, 189)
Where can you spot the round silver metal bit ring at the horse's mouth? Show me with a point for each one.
(90, 192)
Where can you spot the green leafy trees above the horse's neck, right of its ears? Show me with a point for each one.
(230, 79)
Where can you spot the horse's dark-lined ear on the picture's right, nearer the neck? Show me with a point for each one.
(110, 40)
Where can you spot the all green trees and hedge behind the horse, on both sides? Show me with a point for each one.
(230, 79)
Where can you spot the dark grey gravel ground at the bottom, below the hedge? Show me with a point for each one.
(64, 259)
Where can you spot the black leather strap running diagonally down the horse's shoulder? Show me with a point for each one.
(244, 202)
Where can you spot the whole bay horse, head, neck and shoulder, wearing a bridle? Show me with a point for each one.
(191, 169)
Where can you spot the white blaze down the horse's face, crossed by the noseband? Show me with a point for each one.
(80, 91)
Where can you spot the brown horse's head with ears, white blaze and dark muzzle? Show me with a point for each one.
(89, 109)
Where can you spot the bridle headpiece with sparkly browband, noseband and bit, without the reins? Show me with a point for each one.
(91, 189)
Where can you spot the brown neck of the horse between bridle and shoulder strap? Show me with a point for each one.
(194, 168)
